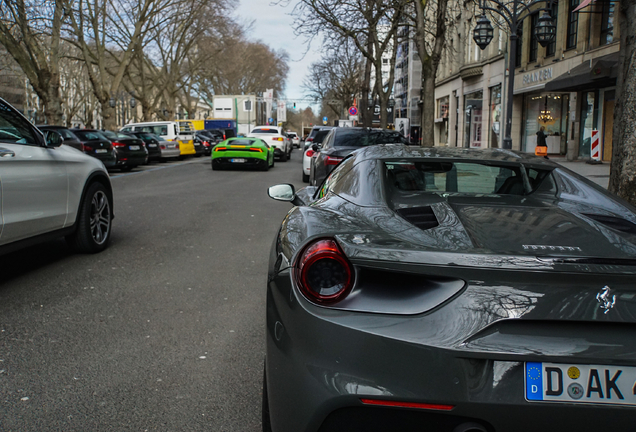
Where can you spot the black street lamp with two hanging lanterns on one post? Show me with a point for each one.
(513, 13)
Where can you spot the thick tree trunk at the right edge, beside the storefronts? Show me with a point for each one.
(623, 169)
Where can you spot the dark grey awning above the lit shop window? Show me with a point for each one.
(596, 74)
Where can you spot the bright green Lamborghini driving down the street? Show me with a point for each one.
(243, 152)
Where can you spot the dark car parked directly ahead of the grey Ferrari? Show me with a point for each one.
(340, 142)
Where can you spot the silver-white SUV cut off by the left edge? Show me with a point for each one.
(50, 190)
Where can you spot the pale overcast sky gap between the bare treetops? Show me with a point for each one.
(273, 25)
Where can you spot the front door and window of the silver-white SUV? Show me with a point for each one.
(34, 181)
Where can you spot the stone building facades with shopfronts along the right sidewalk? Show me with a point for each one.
(567, 87)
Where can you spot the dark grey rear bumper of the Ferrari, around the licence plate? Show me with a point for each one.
(321, 363)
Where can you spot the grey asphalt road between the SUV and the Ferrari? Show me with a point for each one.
(163, 331)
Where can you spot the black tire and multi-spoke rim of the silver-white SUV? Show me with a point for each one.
(94, 221)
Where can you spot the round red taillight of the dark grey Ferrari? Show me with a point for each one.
(324, 274)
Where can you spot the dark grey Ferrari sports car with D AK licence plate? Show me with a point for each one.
(465, 290)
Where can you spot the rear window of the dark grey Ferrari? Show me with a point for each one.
(460, 177)
